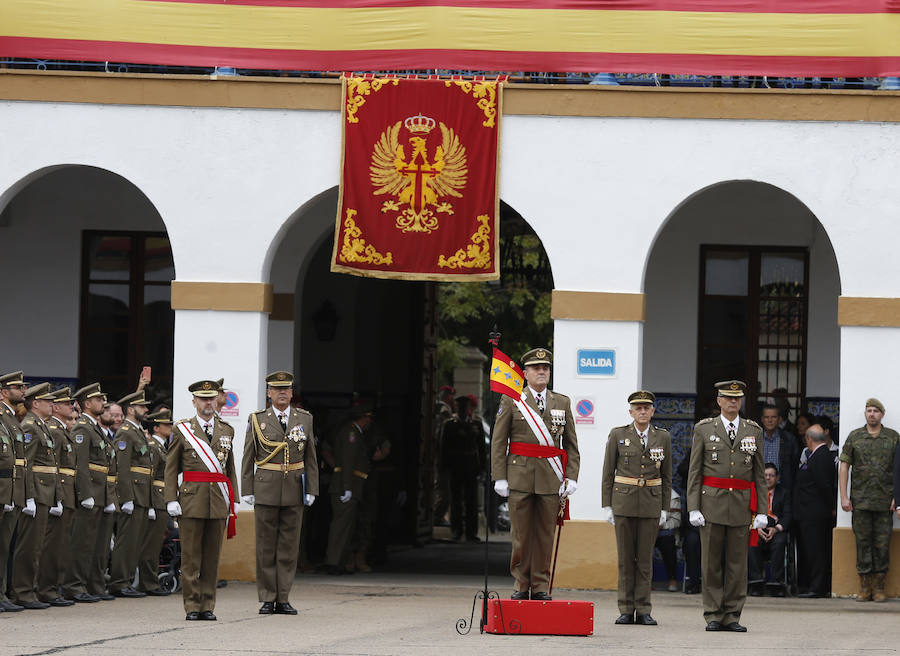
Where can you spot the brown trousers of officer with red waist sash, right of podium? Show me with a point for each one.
(724, 592)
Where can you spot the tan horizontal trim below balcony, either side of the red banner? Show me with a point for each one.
(518, 99)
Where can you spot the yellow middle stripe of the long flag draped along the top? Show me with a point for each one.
(221, 25)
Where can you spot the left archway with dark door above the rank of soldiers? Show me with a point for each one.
(93, 262)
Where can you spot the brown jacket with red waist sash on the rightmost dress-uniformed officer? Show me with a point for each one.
(713, 454)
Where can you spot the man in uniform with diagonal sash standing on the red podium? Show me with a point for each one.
(534, 489)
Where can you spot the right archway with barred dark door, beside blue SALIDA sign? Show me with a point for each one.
(741, 282)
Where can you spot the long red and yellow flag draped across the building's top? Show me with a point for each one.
(764, 37)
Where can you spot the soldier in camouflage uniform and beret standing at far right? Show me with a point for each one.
(870, 451)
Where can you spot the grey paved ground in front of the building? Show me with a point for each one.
(415, 613)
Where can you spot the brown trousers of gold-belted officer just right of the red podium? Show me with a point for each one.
(635, 540)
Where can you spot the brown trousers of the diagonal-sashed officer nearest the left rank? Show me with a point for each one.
(201, 546)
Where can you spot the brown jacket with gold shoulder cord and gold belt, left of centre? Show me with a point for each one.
(285, 487)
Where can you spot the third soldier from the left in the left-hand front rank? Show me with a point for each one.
(56, 558)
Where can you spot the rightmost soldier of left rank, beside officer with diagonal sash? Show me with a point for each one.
(158, 519)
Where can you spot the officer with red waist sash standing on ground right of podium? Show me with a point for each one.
(726, 481)
